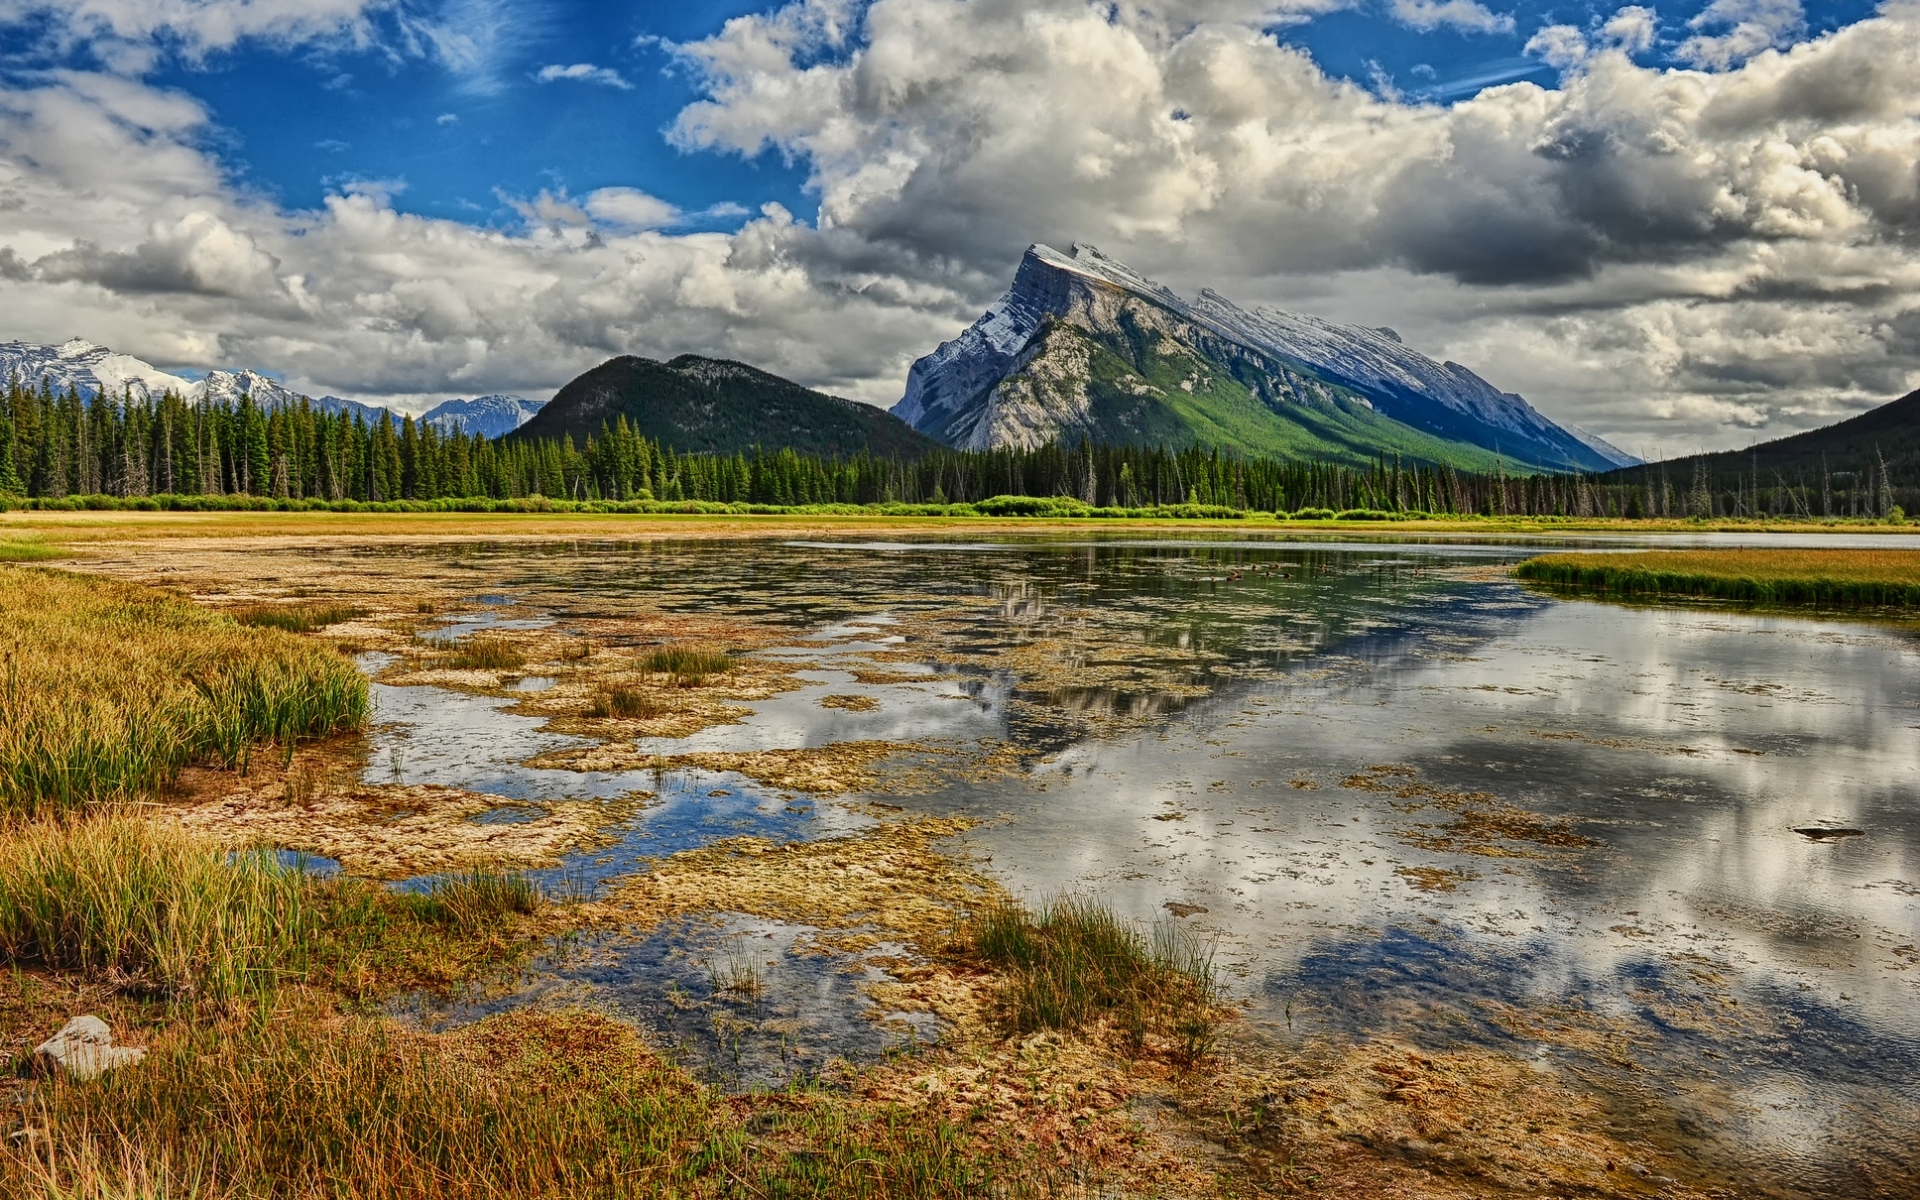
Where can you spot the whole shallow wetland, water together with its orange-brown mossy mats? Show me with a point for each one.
(1493, 888)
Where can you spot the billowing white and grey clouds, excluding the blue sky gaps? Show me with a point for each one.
(1656, 254)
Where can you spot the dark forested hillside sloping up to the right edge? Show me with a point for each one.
(1858, 468)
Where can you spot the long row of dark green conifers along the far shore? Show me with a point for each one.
(62, 444)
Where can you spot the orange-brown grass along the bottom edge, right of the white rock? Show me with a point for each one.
(529, 1105)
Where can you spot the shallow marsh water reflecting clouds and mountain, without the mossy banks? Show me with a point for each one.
(1673, 852)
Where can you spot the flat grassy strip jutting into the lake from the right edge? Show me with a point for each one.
(1831, 579)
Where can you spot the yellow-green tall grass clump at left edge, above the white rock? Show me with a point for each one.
(151, 907)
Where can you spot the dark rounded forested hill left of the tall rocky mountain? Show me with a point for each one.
(698, 404)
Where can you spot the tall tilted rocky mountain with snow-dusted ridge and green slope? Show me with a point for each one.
(1086, 347)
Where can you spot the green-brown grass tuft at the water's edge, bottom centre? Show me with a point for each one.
(1076, 961)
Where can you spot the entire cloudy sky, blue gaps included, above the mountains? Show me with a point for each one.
(1692, 224)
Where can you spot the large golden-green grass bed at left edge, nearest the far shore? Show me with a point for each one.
(108, 690)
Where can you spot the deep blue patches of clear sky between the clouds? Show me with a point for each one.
(302, 122)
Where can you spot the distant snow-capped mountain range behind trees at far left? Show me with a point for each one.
(95, 370)
